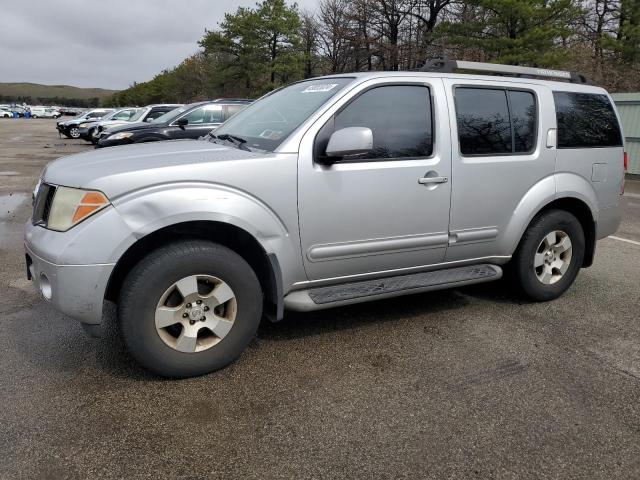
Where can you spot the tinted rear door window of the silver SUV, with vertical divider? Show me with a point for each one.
(495, 121)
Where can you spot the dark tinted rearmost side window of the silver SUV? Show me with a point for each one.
(586, 120)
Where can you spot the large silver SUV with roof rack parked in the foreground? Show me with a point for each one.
(328, 192)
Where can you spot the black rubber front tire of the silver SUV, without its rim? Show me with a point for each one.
(147, 282)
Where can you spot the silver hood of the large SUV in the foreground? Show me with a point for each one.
(119, 170)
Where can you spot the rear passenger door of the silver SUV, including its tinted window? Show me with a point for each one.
(498, 137)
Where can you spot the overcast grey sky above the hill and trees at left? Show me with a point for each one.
(107, 44)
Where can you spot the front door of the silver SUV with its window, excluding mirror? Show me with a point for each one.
(373, 213)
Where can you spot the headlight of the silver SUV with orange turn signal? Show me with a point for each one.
(72, 205)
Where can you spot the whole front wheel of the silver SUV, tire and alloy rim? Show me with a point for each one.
(189, 308)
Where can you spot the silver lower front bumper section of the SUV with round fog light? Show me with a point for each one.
(75, 290)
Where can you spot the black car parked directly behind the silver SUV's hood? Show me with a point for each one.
(191, 121)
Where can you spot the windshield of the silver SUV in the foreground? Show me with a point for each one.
(266, 123)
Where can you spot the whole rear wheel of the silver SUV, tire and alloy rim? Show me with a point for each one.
(550, 255)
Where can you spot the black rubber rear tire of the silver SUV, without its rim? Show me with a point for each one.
(522, 264)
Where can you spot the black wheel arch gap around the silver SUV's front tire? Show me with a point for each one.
(265, 265)
